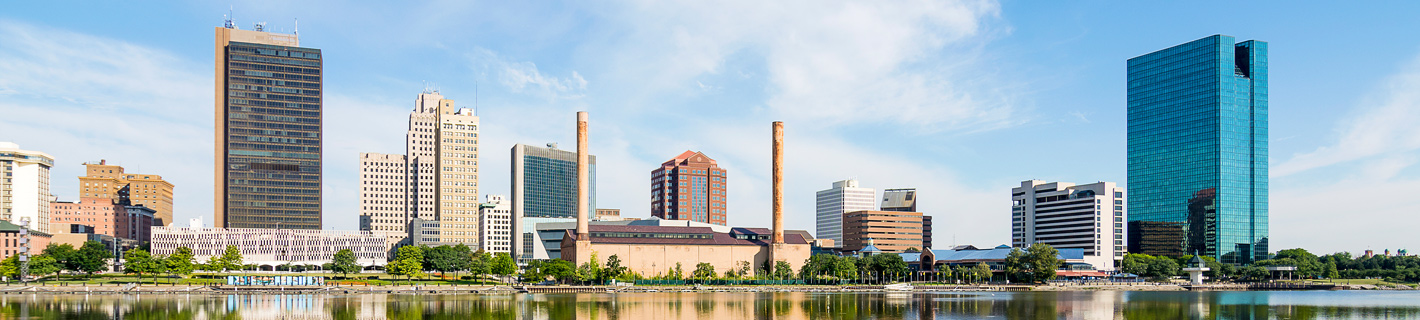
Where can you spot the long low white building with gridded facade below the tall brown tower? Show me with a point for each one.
(272, 247)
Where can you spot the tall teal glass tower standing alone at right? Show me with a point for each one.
(1198, 150)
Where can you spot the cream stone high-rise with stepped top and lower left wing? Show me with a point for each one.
(437, 180)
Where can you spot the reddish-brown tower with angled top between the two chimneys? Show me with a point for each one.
(689, 188)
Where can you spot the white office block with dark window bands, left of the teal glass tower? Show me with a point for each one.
(1067, 215)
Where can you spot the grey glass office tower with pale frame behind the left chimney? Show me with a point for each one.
(545, 190)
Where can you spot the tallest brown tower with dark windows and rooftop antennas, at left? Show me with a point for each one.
(268, 132)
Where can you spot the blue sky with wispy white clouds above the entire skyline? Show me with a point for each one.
(961, 100)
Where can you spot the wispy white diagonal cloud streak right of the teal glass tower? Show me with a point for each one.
(1385, 126)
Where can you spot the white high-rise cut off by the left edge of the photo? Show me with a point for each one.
(25, 187)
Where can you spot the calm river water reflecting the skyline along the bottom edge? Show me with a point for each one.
(723, 306)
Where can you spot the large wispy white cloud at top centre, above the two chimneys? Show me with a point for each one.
(883, 62)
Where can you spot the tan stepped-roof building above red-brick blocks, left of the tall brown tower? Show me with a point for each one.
(106, 181)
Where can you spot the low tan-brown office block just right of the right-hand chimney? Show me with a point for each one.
(890, 231)
